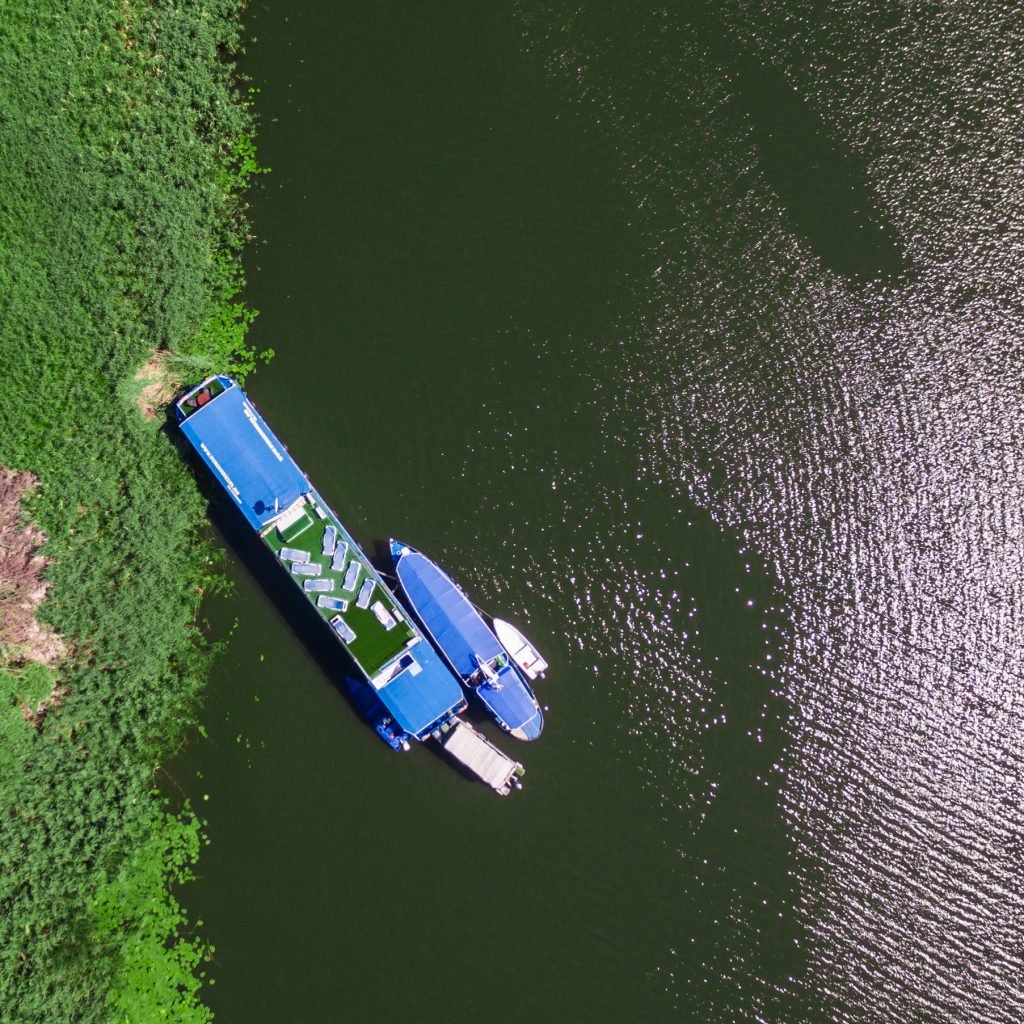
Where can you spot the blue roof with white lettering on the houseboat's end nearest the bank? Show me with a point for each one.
(246, 456)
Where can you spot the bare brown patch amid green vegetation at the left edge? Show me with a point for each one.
(22, 589)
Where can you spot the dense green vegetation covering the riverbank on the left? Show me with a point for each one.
(126, 146)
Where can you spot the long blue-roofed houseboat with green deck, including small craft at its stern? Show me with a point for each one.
(414, 696)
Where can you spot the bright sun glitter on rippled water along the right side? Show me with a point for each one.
(862, 432)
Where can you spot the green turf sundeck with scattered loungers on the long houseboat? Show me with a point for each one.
(374, 646)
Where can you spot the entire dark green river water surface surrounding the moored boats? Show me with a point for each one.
(689, 338)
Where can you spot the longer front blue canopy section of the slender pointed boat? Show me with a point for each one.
(447, 613)
